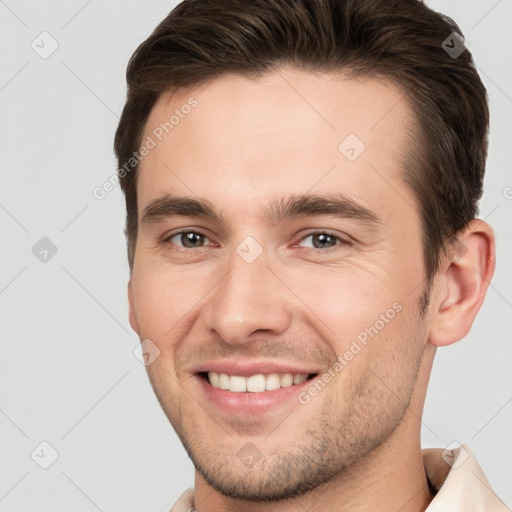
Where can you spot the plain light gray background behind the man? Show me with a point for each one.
(68, 375)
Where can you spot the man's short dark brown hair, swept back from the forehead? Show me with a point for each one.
(401, 40)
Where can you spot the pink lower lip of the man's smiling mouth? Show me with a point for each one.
(247, 403)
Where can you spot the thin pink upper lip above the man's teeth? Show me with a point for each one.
(247, 368)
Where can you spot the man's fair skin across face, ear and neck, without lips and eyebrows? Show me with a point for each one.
(356, 444)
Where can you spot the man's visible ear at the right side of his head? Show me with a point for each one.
(462, 283)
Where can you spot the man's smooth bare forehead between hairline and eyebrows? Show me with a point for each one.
(237, 140)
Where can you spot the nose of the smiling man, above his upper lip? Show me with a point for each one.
(249, 299)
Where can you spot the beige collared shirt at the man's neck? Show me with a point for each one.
(455, 474)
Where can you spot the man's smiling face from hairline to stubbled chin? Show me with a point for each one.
(266, 294)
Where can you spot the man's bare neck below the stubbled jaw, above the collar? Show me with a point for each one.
(392, 478)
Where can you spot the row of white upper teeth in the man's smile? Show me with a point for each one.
(255, 383)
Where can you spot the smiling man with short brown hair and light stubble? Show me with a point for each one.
(301, 184)
